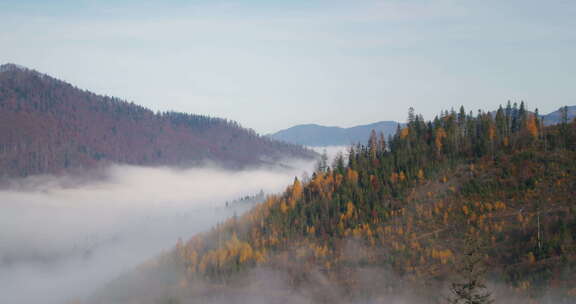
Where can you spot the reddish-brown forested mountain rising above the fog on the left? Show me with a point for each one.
(48, 126)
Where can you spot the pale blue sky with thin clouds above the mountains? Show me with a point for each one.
(273, 64)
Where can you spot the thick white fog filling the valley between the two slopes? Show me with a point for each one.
(63, 237)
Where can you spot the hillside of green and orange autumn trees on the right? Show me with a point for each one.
(391, 219)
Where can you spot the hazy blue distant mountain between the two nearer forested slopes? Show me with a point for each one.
(317, 135)
